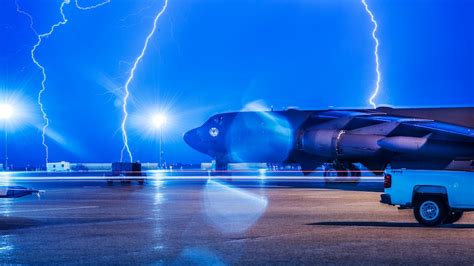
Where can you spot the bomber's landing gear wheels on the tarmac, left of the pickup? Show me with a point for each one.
(341, 172)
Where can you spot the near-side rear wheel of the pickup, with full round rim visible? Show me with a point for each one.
(430, 211)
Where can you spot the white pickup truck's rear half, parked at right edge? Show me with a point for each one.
(437, 196)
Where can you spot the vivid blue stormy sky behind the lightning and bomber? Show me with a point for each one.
(211, 56)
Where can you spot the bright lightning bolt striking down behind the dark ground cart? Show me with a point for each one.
(126, 147)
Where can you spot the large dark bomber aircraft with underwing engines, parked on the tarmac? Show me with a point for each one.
(413, 138)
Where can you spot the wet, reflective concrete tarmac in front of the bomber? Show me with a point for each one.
(221, 222)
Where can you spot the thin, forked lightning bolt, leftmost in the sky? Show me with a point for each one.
(40, 38)
